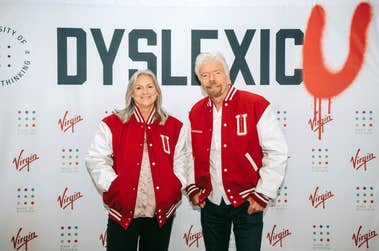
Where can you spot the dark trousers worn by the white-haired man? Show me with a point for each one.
(216, 221)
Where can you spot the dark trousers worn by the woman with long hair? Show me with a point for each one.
(151, 237)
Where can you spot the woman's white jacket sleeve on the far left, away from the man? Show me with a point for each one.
(99, 160)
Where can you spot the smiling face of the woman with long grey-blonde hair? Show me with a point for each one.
(144, 93)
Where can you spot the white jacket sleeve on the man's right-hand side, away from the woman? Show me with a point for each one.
(275, 154)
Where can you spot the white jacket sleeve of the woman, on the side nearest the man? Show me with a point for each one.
(181, 158)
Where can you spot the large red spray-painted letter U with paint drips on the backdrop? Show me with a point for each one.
(320, 81)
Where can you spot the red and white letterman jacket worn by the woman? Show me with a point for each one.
(114, 163)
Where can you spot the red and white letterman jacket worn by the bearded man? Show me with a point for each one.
(253, 154)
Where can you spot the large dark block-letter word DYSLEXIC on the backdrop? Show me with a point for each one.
(108, 50)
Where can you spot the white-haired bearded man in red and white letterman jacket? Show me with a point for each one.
(240, 156)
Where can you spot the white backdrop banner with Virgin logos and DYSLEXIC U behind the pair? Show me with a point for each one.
(64, 65)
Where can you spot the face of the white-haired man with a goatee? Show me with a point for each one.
(213, 78)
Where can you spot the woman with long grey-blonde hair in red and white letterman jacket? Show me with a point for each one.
(137, 162)
